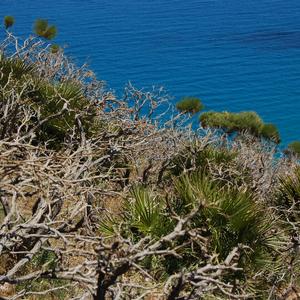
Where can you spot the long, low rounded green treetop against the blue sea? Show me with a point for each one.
(241, 122)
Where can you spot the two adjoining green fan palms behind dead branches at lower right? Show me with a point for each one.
(227, 218)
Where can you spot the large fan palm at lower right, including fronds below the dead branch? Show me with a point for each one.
(227, 218)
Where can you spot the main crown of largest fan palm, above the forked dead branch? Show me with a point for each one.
(231, 217)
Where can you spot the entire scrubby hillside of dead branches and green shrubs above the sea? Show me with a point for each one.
(99, 199)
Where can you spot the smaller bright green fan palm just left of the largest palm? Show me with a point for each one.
(143, 215)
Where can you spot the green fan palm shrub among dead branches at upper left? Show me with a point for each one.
(57, 108)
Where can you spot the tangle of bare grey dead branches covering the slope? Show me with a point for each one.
(55, 192)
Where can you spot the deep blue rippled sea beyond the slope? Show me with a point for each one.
(233, 54)
